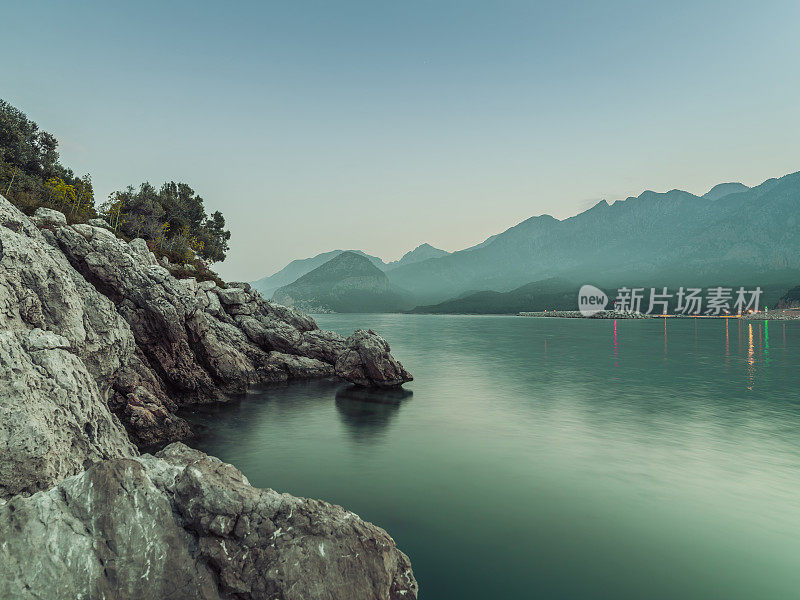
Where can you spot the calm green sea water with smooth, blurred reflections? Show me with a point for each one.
(555, 458)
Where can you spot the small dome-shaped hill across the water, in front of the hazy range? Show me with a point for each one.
(349, 282)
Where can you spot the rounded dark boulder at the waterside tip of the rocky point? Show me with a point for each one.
(366, 361)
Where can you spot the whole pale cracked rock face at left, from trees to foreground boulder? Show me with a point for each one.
(61, 344)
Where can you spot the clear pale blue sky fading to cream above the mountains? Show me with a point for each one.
(381, 125)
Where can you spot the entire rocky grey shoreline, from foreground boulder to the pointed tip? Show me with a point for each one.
(101, 345)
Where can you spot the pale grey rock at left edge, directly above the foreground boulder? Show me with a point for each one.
(53, 420)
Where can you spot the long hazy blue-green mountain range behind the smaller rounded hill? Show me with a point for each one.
(732, 234)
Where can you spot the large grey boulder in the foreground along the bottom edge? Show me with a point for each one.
(183, 525)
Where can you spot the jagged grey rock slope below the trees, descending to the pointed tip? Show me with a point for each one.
(154, 342)
